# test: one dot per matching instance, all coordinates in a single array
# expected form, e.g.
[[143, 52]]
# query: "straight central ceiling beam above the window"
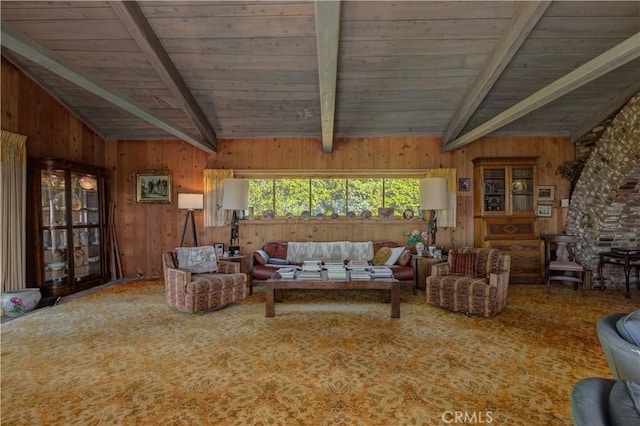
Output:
[[327, 37]]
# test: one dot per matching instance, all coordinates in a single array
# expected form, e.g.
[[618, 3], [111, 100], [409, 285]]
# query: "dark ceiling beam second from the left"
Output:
[[136, 23]]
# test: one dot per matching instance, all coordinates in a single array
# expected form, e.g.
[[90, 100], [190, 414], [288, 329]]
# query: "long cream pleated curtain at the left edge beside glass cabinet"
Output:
[[13, 199]]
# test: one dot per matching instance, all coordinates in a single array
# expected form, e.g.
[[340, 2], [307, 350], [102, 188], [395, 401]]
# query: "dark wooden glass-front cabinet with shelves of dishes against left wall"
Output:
[[66, 229]]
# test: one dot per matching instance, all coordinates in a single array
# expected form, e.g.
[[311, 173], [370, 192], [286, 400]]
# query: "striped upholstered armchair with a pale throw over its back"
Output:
[[195, 281]]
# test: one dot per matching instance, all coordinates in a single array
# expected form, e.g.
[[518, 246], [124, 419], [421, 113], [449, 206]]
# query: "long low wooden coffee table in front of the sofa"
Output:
[[391, 287]]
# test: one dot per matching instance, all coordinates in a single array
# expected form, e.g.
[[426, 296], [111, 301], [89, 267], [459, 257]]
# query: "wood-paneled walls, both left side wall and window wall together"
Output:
[[145, 231]]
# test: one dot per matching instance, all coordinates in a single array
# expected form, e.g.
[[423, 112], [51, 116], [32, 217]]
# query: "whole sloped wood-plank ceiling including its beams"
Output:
[[204, 71]]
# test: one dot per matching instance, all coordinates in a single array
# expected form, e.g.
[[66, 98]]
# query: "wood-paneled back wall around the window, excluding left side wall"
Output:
[[146, 230]]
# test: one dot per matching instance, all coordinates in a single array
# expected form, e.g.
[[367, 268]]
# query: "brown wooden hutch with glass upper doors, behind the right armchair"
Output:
[[504, 213]]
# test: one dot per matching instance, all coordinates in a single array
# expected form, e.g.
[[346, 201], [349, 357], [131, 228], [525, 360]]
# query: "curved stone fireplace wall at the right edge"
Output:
[[605, 206]]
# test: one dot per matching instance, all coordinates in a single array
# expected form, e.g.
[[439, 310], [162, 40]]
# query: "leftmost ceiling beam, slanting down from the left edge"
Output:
[[24, 46]]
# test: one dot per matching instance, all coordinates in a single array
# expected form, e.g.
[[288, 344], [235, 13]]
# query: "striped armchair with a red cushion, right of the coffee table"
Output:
[[473, 280]]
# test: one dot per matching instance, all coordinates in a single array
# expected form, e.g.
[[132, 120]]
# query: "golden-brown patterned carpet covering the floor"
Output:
[[120, 356]]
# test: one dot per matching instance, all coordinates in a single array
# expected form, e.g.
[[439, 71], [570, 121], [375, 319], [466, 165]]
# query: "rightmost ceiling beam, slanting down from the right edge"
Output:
[[613, 58]]
